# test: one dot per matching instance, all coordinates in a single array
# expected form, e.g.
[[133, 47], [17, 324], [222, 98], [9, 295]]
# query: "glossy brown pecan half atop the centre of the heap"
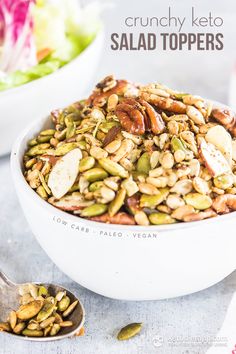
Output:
[[138, 116]]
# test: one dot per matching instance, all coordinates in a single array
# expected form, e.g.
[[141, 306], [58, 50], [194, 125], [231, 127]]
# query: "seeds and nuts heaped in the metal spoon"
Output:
[[39, 314]]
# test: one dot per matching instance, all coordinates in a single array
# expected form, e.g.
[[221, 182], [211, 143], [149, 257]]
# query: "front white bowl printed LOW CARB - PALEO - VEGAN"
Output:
[[127, 262]]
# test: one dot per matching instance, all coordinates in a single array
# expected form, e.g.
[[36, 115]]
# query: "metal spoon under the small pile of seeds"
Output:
[[9, 300]]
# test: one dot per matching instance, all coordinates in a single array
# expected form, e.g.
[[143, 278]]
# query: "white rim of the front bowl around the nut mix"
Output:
[[16, 162]]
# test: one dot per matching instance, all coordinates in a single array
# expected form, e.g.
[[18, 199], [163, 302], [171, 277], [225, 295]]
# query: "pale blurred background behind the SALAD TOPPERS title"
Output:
[[204, 72]]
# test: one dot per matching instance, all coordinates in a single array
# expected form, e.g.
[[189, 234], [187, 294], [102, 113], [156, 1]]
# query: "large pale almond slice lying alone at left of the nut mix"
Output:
[[64, 173]]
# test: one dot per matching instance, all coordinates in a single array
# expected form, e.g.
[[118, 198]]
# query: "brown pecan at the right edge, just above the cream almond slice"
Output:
[[226, 117]]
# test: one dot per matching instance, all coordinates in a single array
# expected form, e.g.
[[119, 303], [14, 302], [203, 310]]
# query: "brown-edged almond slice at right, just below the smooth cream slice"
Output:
[[214, 160]]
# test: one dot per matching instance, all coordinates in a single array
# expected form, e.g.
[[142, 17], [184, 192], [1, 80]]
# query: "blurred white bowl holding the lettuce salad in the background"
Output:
[[35, 99]]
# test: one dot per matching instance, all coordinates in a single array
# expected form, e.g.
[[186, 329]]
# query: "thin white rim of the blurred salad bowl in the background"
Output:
[[29, 84]]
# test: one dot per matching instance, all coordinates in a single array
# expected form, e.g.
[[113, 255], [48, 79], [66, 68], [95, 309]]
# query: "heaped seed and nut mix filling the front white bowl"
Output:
[[133, 154]]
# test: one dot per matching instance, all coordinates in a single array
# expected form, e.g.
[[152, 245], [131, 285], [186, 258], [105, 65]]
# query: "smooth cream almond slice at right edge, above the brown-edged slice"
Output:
[[221, 139]]
